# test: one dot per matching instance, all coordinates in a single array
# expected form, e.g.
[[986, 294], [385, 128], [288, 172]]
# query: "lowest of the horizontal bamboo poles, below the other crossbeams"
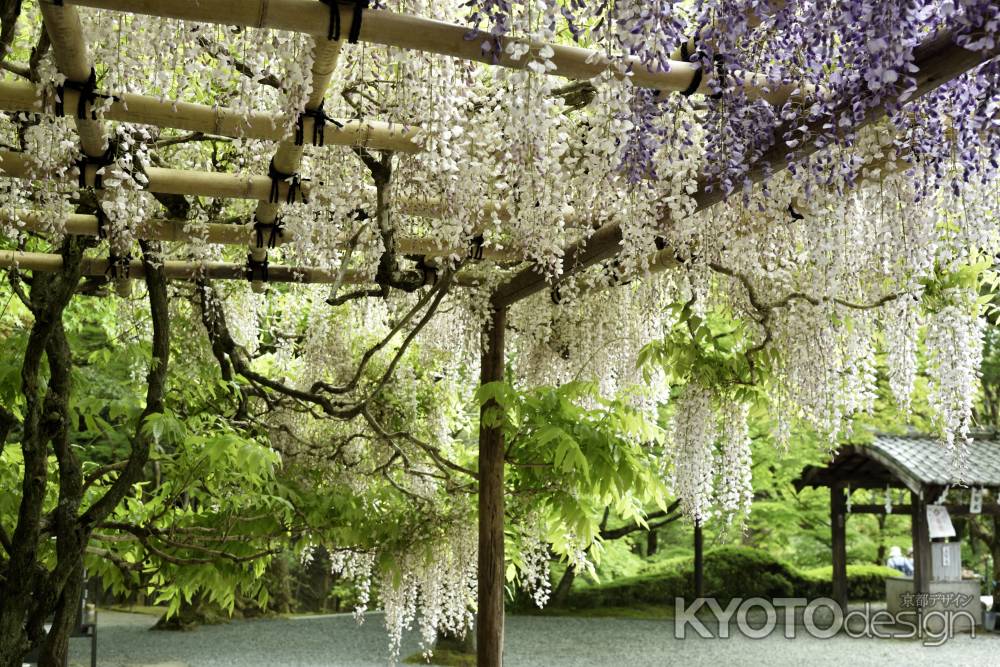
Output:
[[181, 270]]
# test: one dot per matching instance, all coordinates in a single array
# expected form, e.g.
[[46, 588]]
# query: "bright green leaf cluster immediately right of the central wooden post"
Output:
[[573, 454]]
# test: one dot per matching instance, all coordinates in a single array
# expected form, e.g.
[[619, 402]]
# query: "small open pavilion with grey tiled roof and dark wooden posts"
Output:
[[919, 465]]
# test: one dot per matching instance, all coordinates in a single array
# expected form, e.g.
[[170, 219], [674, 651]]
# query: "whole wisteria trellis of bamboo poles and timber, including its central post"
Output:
[[937, 61]]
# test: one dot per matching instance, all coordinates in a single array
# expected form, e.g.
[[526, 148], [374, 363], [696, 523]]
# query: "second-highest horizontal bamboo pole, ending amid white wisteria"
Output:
[[23, 96]]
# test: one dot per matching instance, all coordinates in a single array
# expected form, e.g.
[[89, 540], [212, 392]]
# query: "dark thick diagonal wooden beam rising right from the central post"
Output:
[[938, 60]]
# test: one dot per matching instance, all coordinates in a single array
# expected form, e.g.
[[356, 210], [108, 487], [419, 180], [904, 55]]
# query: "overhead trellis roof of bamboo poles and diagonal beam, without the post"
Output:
[[938, 59]]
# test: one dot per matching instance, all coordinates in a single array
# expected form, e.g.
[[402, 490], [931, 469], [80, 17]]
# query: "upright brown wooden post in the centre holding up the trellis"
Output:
[[489, 627]]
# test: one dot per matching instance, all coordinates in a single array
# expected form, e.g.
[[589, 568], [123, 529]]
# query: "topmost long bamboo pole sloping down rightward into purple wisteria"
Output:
[[416, 33]]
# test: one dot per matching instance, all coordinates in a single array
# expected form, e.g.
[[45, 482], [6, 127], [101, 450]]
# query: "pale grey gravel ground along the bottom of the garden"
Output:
[[125, 641]]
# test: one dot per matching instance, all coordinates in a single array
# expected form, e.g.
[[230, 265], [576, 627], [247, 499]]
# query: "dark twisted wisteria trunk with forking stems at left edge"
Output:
[[30, 594]]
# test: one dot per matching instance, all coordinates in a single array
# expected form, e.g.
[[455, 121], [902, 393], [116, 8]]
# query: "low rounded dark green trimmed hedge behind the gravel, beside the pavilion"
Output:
[[730, 572]]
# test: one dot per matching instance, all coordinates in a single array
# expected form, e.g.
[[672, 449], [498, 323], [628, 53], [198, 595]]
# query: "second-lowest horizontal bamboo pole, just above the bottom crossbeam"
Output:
[[158, 229]]
